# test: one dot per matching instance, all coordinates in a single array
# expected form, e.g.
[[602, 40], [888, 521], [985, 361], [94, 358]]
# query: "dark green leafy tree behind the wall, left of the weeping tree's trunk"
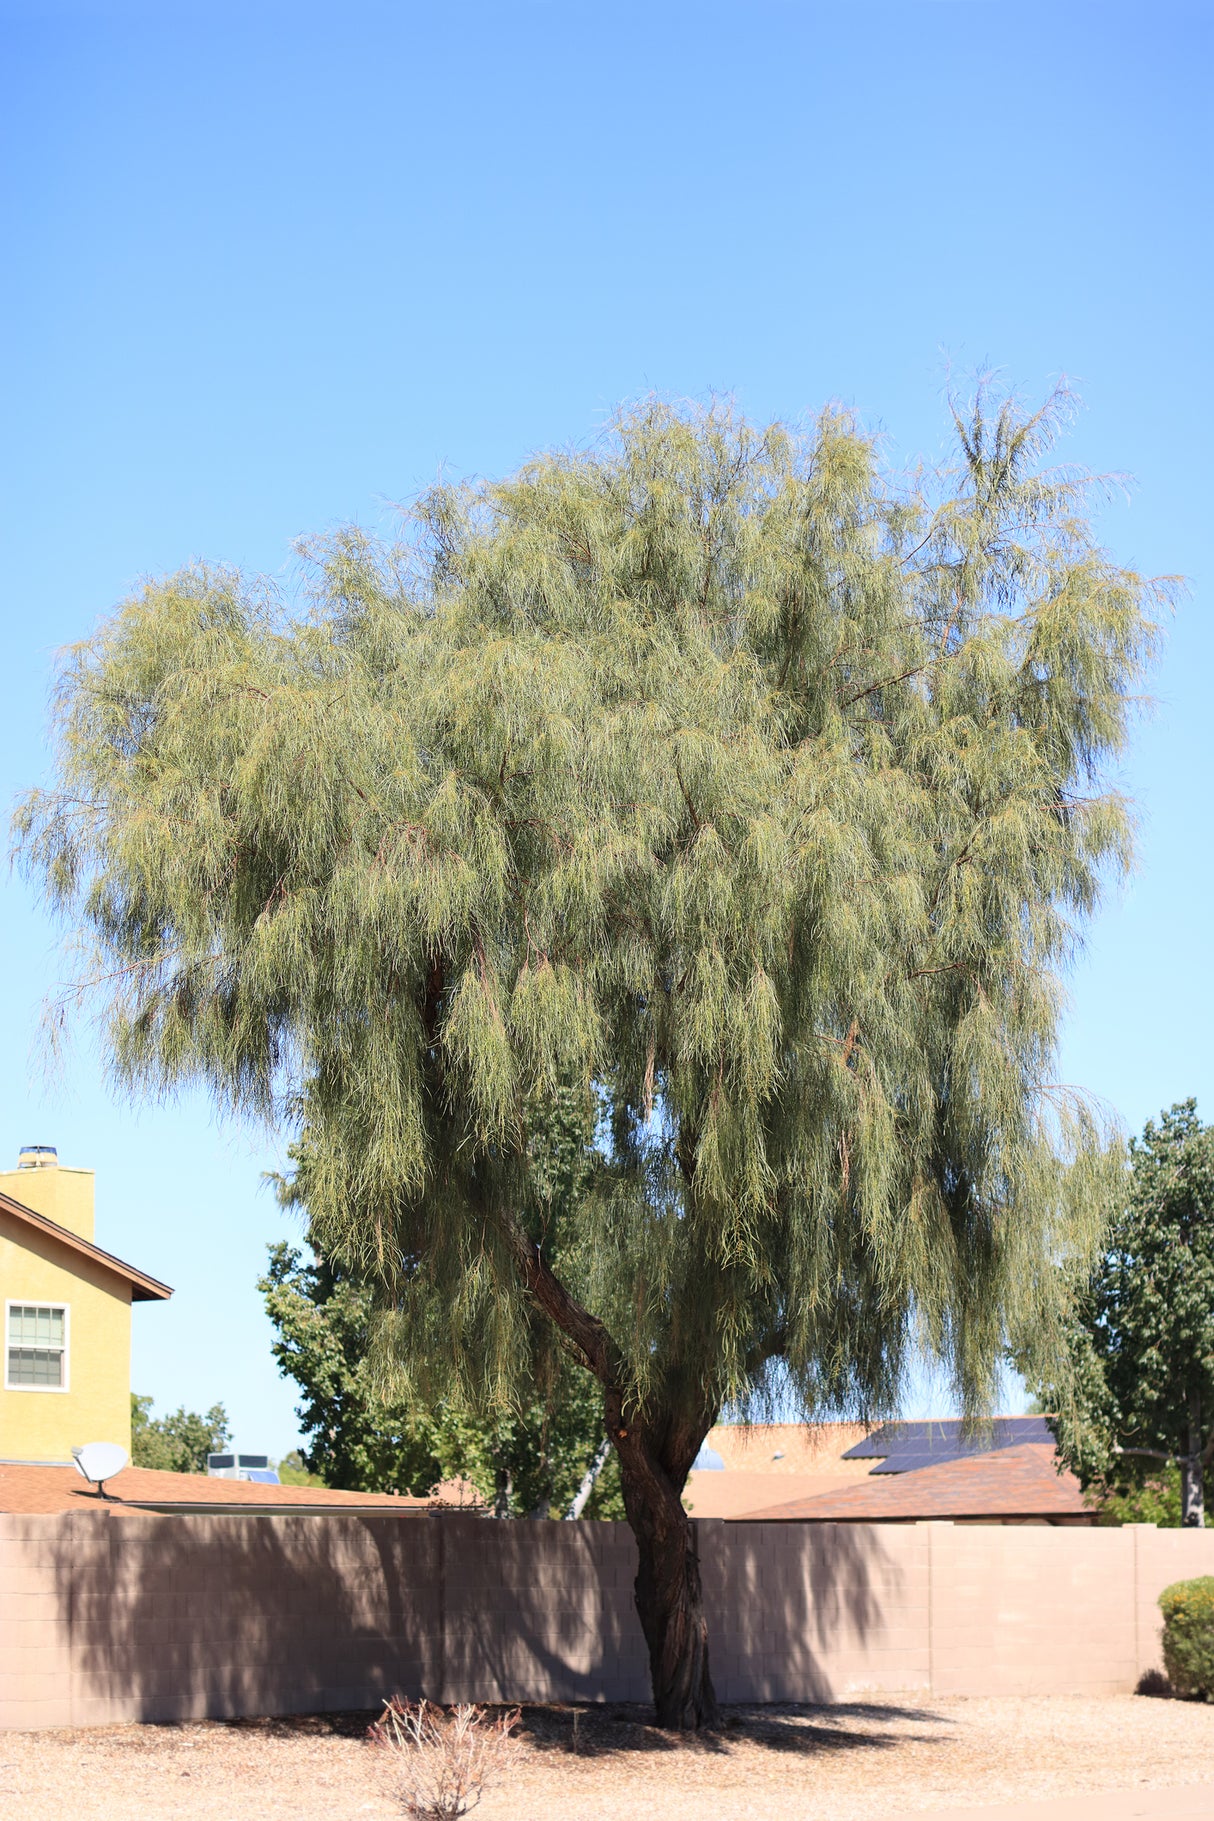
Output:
[[523, 1463]]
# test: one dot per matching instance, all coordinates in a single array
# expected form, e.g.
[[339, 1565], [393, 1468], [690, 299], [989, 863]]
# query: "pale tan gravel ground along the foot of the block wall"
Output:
[[858, 1762]]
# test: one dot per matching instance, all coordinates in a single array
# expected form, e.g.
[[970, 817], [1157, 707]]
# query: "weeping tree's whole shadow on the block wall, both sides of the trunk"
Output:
[[179, 1618]]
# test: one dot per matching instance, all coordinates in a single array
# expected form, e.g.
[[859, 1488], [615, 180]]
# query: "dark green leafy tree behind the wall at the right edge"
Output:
[[1140, 1392]]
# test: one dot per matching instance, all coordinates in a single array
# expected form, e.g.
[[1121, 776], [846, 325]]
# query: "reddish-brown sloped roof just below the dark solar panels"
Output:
[[1011, 1483]]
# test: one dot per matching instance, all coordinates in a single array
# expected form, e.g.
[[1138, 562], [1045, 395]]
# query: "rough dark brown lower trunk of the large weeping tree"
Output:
[[669, 1592]]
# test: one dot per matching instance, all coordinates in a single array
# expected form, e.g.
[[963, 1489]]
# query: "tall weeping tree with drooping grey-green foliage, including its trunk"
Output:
[[711, 773]]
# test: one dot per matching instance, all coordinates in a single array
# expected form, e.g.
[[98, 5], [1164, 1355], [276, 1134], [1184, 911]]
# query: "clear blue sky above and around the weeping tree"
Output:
[[270, 269]]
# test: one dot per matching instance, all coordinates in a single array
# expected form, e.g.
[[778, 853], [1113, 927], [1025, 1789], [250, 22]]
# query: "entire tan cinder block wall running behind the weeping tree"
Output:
[[123, 1618]]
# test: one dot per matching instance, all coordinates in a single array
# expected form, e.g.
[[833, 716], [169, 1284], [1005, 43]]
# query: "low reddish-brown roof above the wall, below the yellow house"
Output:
[[45, 1490]]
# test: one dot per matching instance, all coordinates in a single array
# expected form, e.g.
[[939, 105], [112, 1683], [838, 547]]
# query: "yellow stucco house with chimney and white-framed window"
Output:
[[66, 1316]]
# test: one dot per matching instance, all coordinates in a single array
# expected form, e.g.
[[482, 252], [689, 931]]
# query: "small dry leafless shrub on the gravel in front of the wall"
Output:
[[443, 1762]]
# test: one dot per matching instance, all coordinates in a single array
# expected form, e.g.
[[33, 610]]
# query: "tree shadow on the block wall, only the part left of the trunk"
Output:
[[174, 1618]]
